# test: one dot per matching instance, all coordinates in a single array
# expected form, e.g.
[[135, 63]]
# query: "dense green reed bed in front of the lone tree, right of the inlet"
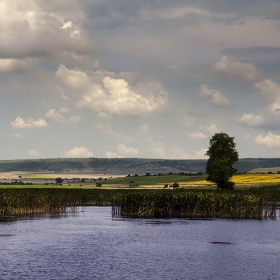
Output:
[[250, 204]]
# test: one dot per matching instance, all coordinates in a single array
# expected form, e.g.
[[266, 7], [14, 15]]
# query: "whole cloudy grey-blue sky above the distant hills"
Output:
[[145, 79]]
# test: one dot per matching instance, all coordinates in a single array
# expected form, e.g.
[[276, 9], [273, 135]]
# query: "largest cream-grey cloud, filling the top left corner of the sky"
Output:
[[32, 28]]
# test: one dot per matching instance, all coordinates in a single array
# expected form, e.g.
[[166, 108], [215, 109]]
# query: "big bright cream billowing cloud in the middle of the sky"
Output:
[[114, 96]]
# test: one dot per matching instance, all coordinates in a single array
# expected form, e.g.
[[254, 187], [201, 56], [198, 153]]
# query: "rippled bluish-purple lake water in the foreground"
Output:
[[93, 245]]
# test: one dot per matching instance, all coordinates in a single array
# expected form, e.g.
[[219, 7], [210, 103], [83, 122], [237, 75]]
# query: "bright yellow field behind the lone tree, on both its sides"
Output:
[[243, 179]]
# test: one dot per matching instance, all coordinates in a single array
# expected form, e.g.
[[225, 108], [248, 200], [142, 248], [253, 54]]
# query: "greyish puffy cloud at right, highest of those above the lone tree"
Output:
[[236, 70]]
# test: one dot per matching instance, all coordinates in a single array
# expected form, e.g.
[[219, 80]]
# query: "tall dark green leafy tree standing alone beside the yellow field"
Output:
[[222, 155]]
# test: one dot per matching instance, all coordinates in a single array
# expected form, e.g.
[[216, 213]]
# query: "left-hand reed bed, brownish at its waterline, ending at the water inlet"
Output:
[[33, 201]]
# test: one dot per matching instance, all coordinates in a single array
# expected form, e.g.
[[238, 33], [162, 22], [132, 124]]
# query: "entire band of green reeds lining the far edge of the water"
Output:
[[254, 203]]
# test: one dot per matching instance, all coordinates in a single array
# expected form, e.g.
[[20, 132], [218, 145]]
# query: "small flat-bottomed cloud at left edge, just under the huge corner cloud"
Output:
[[8, 65]]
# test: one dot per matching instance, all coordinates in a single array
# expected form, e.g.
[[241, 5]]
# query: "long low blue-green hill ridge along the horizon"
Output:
[[126, 165]]
